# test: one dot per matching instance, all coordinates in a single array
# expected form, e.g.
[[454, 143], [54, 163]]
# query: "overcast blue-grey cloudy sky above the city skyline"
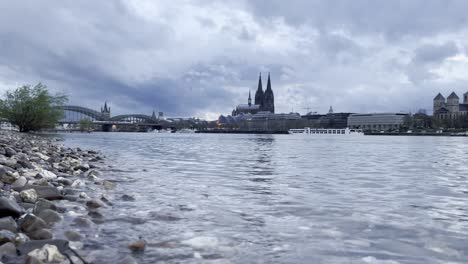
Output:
[[201, 57]]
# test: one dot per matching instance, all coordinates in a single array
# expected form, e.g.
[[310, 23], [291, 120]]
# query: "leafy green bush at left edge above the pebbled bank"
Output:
[[32, 108]]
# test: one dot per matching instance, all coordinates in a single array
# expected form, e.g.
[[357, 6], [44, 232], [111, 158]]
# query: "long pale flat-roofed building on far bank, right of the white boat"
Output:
[[377, 121]]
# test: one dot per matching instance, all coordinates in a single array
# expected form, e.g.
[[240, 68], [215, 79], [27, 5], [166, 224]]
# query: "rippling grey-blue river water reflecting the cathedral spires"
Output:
[[218, 198]]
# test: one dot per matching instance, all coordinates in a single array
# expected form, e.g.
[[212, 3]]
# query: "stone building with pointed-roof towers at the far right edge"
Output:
[[450, 108]]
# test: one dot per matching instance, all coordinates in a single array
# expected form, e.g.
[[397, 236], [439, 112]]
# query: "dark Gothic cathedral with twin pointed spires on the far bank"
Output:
[[264, 100]]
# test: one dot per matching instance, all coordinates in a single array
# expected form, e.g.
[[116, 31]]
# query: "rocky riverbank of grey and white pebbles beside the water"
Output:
[[44, 207]]
